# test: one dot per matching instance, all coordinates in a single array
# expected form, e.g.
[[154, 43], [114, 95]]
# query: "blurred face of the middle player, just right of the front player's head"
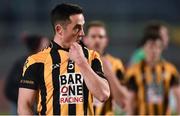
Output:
[[97, 39]]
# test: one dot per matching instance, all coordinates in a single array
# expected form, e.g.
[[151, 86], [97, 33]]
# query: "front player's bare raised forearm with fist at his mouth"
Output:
[[97, 85]]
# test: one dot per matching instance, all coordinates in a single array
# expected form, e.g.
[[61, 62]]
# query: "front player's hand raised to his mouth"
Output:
[[76, 53]]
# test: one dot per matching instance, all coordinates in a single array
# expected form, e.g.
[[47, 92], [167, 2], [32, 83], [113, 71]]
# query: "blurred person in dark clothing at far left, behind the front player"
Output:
[[34, 44]]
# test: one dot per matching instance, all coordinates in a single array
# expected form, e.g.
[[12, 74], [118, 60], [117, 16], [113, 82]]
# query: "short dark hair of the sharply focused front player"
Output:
[[62, 12]]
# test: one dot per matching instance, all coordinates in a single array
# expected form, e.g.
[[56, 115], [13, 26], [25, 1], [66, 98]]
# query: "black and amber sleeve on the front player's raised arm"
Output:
[[96, 64]]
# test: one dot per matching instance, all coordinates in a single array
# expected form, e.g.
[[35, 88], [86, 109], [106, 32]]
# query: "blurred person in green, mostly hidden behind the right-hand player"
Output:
[[154, 27]]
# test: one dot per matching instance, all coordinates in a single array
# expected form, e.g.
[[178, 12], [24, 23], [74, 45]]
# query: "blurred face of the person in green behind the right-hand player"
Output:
[[165, 36]]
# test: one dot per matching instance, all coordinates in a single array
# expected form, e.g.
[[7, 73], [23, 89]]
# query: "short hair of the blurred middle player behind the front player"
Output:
[[95, 24]]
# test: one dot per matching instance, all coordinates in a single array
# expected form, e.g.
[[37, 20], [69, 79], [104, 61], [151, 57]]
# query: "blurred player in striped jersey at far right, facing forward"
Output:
[[151, 80]]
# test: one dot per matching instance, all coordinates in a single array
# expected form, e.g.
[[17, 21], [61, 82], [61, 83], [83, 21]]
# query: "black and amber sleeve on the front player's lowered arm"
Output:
[[31, 74]]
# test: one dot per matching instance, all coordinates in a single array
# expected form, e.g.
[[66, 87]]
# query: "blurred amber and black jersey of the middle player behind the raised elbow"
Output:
[[107, 107]]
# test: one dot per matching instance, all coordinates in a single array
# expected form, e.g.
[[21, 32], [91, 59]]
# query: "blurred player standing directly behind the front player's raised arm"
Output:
[[97, 39]]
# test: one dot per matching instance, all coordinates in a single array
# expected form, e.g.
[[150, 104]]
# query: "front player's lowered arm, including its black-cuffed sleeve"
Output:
[[28, 86]]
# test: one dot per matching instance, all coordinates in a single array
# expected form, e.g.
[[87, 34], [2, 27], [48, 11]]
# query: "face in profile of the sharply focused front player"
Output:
[[73, 31]]
